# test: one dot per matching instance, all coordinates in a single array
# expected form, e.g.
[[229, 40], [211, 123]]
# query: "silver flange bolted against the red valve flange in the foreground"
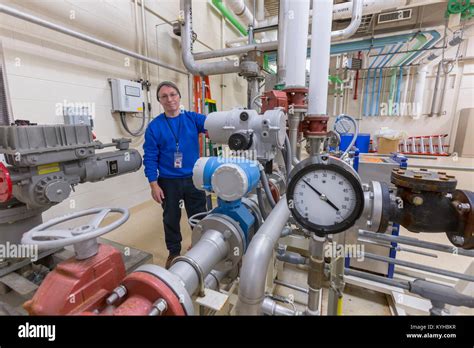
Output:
[[174, 284]]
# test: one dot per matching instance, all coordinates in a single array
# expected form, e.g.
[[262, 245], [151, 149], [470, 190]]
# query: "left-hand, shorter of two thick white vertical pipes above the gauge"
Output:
[[297, 18]]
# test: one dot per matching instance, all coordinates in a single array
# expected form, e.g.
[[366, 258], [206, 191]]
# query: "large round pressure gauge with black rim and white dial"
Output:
[[325, 195]]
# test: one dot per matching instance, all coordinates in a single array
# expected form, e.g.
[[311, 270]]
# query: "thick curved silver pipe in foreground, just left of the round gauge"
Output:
[[256, 260]]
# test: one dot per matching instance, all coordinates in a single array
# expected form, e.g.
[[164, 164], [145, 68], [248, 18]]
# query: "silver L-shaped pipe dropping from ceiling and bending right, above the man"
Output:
[[203, 69]]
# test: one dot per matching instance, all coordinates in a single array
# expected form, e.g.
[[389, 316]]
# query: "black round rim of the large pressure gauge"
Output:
[[329, 164]]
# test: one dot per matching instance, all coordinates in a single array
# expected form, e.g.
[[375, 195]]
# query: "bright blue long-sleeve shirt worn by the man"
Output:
[[160, 145]]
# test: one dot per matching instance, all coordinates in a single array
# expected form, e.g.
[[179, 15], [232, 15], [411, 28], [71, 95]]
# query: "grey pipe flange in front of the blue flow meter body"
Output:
[[232, 233]]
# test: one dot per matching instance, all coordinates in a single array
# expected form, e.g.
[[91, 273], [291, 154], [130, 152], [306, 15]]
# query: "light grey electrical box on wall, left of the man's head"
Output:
[[127, 96]]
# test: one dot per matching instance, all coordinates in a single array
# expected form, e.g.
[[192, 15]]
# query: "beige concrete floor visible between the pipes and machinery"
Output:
[[144, 231]]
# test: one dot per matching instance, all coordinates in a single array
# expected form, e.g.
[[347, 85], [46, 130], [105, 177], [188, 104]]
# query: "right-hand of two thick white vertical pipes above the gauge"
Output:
[[319, 70]]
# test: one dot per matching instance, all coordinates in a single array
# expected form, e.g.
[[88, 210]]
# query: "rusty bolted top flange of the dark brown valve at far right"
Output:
[[423, 180]]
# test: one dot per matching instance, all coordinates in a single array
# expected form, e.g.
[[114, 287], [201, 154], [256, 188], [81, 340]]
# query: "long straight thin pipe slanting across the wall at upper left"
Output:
[[36, 20]]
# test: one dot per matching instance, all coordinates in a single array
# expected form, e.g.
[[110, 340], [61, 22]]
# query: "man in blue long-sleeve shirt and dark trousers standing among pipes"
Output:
[[171, 149]]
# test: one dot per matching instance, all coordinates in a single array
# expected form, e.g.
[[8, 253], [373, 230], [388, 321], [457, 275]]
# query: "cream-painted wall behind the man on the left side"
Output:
[[45, 68]]
